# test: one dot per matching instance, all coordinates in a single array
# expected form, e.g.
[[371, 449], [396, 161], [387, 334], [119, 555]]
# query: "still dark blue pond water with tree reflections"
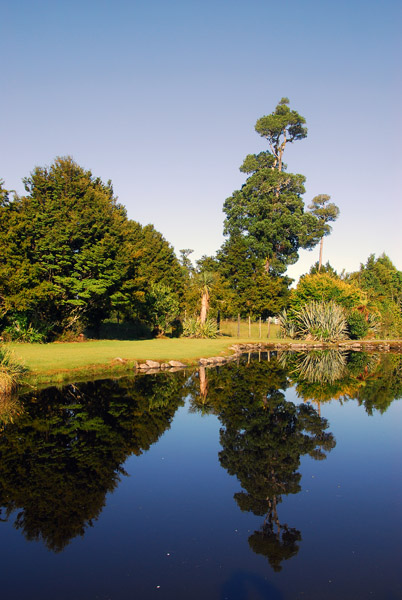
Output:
[[277, 478]]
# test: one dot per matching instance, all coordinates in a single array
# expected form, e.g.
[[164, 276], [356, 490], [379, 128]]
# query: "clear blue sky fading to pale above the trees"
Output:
[[162, 98]]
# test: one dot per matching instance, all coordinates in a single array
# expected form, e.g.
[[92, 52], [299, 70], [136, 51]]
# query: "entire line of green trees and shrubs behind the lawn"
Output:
[[70, 258]]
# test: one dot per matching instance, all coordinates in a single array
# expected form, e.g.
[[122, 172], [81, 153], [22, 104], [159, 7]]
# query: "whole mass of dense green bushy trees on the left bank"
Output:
[[70, 258]]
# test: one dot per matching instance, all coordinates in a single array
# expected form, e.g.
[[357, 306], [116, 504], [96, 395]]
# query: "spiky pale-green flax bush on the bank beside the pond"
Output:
[[324, 321]]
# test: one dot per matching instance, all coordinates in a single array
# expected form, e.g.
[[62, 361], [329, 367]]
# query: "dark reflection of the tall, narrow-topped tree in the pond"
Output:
[[263, 437]]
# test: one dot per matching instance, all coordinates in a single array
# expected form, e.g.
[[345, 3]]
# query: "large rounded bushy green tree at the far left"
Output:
[[62, 247]]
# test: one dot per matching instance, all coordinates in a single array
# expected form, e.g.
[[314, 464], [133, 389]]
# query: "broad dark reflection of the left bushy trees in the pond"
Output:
[[67, 449]]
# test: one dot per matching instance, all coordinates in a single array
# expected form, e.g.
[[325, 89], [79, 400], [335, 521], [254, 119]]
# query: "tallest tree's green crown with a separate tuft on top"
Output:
[[268, 212]]
